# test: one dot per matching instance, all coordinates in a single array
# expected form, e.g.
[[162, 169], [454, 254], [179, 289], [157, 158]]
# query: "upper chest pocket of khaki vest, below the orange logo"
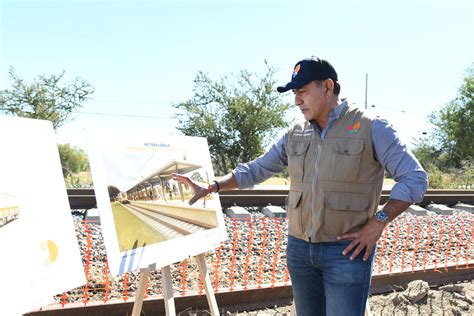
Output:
[[346, 161]]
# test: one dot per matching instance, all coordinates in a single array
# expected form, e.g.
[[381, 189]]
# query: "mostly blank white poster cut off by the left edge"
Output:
[[40, 254]]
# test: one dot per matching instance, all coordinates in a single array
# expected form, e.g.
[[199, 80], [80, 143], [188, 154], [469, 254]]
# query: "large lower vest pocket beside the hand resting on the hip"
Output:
[[344, 212]]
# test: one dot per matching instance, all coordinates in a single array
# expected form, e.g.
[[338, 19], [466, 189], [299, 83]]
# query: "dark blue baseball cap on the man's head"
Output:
[[308, 70]]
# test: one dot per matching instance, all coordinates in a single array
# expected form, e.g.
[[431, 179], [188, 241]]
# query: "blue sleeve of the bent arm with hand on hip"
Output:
[[411, 180]]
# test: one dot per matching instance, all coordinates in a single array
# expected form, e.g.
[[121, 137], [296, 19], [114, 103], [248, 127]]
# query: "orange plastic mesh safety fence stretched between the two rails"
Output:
[[425, 240]]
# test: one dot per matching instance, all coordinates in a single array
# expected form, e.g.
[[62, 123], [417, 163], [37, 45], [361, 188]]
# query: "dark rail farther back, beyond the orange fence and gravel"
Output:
[[85, 198]]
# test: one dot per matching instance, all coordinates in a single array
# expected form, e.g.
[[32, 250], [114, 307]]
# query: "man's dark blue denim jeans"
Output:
[[324, 281]]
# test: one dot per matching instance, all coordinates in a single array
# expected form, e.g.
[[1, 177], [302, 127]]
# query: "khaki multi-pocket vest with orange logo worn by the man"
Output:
[[336, 182]]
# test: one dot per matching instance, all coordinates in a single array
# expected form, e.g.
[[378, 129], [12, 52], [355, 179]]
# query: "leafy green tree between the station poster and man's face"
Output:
[[238, 117]]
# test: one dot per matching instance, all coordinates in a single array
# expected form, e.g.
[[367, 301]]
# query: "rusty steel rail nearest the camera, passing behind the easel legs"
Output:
[[252, 297]]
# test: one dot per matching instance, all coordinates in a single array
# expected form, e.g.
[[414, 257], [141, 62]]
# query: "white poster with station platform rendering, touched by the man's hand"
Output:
[[145, 216]]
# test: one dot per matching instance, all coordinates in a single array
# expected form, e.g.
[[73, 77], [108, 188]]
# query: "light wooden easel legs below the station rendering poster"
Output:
[[168, 289]]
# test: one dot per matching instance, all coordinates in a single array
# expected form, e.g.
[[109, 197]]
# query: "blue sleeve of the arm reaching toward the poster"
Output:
[[262, 168]]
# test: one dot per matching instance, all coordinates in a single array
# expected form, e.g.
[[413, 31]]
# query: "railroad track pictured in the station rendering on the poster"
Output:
[[169, 226]]
